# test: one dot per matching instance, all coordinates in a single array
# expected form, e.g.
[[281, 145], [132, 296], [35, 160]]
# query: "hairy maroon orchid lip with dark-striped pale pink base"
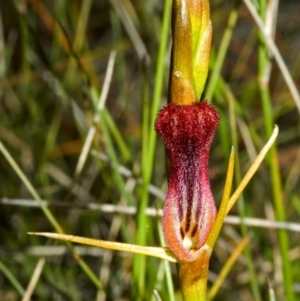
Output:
[[189, 211]]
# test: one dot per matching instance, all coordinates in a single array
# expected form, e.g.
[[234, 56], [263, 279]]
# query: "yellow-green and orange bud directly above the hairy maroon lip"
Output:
[[191, 32]]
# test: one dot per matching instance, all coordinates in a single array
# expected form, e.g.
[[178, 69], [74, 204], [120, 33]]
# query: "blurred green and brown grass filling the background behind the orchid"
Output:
[[53, 63]]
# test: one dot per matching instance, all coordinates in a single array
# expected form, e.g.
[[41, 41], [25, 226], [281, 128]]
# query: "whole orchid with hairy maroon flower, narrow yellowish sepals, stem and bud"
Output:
[[191, 223]]
